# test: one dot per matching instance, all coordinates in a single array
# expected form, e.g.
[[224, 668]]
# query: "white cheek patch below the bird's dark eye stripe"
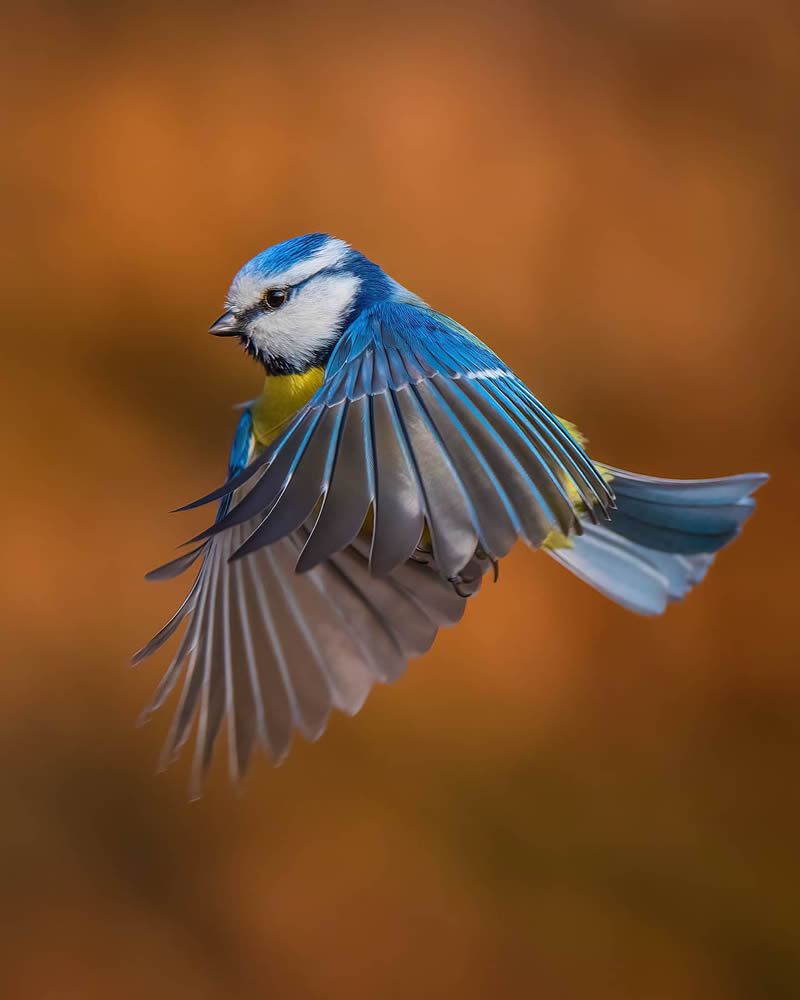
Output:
[[308, 322]]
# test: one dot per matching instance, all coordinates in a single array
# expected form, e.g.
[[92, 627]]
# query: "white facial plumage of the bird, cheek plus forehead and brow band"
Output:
[[309, 320]]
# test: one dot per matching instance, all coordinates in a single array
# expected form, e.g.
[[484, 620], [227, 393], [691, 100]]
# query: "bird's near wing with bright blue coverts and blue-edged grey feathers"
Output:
[[417, 423]]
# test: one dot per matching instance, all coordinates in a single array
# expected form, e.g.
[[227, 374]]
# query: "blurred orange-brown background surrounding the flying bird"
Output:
[[561, 800]]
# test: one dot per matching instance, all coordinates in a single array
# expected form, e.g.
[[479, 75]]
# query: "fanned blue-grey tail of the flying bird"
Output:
[[662, 537]]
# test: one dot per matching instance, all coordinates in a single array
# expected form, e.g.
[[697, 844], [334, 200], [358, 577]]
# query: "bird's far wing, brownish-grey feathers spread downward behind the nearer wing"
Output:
[[269, 650]]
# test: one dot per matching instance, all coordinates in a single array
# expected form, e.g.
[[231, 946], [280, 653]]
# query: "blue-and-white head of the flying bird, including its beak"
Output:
[[290, 304]]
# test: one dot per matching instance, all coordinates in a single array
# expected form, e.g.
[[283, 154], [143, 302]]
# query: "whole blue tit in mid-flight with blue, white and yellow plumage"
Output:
[[388, 465]]
